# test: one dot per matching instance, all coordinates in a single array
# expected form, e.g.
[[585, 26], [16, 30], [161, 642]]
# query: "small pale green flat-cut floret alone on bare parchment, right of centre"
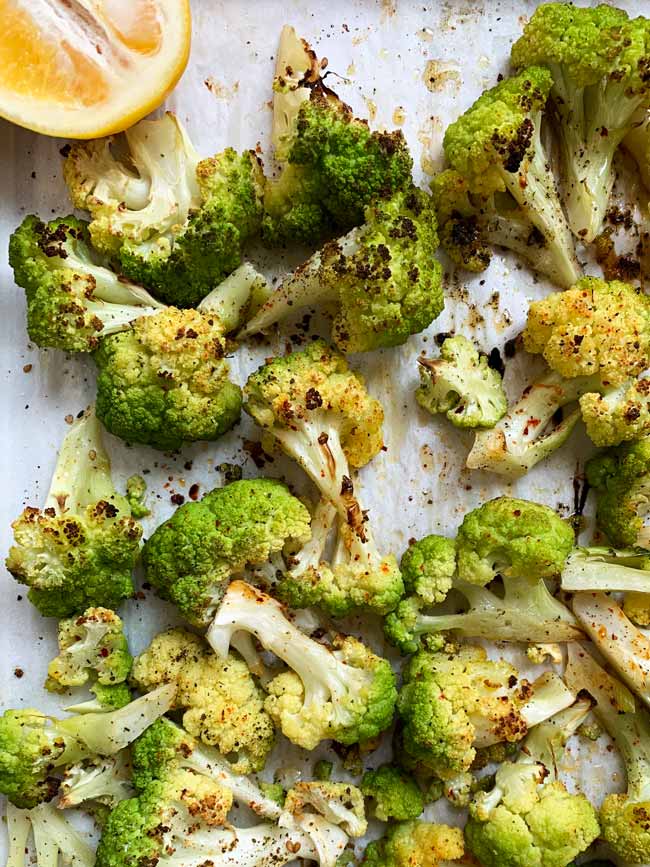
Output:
[[461, 384]]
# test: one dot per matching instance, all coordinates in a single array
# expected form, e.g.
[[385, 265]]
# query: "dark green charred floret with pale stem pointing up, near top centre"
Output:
[[331, 166]]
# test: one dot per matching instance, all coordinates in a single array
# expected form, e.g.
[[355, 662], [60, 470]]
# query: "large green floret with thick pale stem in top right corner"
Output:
[[599, 61]]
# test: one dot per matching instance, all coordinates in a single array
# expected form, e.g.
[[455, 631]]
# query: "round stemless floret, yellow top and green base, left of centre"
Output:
[[165, 381]]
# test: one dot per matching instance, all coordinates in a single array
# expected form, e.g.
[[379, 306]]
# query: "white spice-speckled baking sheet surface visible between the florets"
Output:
[[413, 64]]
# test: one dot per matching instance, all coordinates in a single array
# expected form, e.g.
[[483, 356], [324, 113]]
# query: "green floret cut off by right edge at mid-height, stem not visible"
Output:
[[621, 480]]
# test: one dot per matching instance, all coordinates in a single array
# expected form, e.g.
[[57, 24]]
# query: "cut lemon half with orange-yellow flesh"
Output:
[[87, 68]]
